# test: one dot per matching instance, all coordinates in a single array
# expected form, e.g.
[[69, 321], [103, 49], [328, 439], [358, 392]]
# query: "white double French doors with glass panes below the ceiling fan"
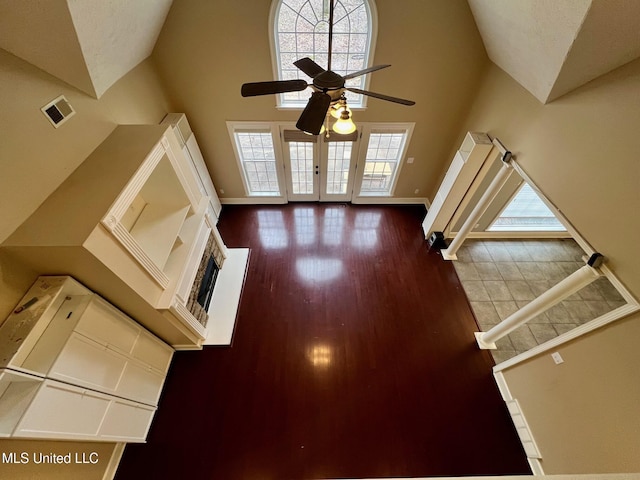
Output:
[[317, 168]]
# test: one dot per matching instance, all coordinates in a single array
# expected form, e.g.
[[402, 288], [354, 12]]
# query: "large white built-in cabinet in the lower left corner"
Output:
[[80, 369]]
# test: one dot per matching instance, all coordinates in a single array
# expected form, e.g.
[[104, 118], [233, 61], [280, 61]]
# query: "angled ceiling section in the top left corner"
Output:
[[89, 44]]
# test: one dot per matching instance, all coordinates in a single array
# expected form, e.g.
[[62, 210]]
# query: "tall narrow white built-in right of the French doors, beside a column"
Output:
[[461, 172]]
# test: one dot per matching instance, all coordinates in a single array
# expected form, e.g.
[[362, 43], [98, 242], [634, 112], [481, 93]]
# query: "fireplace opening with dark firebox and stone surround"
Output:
[[205, 280]]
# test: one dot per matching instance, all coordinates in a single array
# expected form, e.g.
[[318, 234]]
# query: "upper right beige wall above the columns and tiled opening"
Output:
[[581, 150]]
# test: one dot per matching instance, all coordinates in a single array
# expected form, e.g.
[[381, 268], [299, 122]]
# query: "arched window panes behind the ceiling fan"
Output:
[[301, 29]]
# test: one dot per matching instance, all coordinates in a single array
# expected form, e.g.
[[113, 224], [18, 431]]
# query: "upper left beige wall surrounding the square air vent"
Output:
[[34, 156]]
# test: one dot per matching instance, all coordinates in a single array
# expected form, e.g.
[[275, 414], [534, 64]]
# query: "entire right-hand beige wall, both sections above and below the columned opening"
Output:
[[582, 151]]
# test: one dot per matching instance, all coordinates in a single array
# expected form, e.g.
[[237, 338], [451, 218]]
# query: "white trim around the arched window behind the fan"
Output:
[[275, 57]]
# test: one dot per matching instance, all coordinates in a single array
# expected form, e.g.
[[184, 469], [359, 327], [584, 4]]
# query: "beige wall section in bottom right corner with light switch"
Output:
[[584, 412]]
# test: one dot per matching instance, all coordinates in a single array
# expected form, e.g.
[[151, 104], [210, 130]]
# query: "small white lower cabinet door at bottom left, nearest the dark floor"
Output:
[[126, 422]]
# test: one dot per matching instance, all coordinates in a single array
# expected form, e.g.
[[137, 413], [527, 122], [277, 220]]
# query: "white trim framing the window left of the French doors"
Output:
[[272, 127]]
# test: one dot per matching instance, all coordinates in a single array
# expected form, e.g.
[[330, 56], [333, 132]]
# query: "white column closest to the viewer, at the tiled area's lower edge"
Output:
[[567, 287]]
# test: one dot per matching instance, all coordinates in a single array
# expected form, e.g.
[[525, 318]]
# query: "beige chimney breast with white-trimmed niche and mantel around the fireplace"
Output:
[[131, 223]]
